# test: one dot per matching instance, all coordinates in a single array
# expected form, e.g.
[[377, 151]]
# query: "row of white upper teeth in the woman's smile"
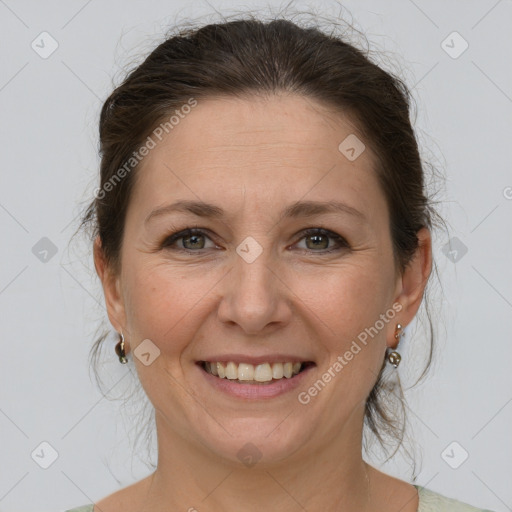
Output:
[[260, 373]]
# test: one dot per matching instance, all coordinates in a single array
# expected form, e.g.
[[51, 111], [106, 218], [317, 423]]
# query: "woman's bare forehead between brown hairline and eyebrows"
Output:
[[274, 150]]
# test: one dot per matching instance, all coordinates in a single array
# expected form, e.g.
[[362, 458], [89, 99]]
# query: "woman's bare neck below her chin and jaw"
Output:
[[330, 475]]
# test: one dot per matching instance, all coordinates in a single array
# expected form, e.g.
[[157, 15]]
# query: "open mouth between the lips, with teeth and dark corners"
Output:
[[246, 373]]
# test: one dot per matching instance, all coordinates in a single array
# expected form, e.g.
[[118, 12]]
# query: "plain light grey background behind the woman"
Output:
[[49, 309]]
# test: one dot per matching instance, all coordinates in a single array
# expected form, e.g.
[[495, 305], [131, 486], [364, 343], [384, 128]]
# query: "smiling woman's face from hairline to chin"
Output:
[[252, 285]]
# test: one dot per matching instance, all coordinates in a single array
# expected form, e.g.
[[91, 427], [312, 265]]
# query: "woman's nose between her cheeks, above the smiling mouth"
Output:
[[254, 297]]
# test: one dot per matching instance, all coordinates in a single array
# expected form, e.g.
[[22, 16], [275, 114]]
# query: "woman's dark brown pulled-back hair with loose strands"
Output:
[[249, 56]]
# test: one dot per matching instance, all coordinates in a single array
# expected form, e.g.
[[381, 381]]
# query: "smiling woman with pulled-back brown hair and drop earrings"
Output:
[[262, 235]]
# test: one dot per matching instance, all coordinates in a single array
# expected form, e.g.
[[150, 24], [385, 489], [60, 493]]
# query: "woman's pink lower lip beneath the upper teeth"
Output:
[[255, 391]]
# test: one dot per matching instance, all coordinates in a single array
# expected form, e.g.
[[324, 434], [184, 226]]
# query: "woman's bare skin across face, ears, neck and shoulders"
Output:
[[253, 157]]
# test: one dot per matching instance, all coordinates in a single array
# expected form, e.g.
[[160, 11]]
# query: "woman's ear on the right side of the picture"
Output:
[[411, 284]]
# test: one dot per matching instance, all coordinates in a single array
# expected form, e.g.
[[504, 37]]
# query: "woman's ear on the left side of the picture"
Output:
[[111, 288]]
